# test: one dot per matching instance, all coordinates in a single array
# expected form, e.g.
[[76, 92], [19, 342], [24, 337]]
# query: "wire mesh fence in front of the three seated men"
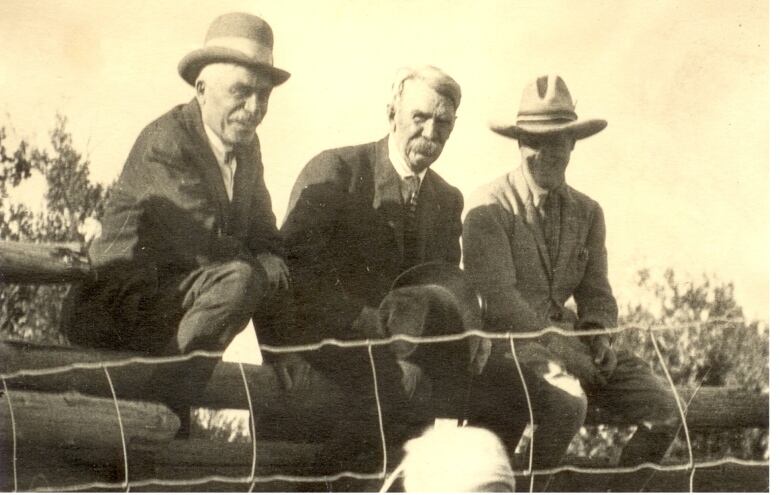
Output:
[[252, 479]]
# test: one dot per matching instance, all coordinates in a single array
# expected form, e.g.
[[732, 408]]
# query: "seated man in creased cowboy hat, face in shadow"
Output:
[[531, 242]]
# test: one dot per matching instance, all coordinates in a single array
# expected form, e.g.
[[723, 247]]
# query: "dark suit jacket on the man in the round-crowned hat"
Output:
[[169, 214]]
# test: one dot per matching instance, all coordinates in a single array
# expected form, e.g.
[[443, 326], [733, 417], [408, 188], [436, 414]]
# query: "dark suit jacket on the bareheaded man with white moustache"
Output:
[[344, 235]]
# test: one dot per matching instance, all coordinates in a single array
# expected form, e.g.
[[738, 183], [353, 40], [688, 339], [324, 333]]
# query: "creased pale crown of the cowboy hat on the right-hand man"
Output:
[[547, 98]]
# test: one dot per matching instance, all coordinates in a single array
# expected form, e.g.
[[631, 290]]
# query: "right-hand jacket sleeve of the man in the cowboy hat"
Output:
[[596, 306]]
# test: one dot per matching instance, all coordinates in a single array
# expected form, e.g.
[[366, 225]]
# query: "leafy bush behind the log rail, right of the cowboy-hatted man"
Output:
[[705, 341]]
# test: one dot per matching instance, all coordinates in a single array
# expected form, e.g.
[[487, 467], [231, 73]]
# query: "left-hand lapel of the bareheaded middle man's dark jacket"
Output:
[[387, 192]]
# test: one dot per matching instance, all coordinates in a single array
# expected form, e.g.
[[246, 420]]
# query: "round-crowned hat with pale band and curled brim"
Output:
[[237, 38]]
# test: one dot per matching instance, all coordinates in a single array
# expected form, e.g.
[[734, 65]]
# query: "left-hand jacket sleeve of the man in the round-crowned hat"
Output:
[[160, 213]]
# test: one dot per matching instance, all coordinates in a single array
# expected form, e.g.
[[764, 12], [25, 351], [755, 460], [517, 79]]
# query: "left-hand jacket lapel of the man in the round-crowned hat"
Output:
[[205, 160]]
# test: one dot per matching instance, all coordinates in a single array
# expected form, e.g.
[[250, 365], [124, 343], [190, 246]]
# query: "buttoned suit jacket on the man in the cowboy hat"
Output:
[[506, 257]]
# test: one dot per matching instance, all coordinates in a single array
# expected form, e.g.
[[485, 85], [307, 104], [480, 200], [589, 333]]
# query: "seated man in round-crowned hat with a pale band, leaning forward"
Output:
[[189, 250]]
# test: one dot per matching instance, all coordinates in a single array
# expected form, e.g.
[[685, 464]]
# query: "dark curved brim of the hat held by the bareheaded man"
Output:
[[450, 278]]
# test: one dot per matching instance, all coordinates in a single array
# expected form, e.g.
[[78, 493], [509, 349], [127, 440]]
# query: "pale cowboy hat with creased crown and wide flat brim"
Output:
[[547, 108]]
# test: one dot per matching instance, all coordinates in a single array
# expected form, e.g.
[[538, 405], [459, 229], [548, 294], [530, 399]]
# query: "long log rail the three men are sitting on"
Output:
[[710, 407]]
